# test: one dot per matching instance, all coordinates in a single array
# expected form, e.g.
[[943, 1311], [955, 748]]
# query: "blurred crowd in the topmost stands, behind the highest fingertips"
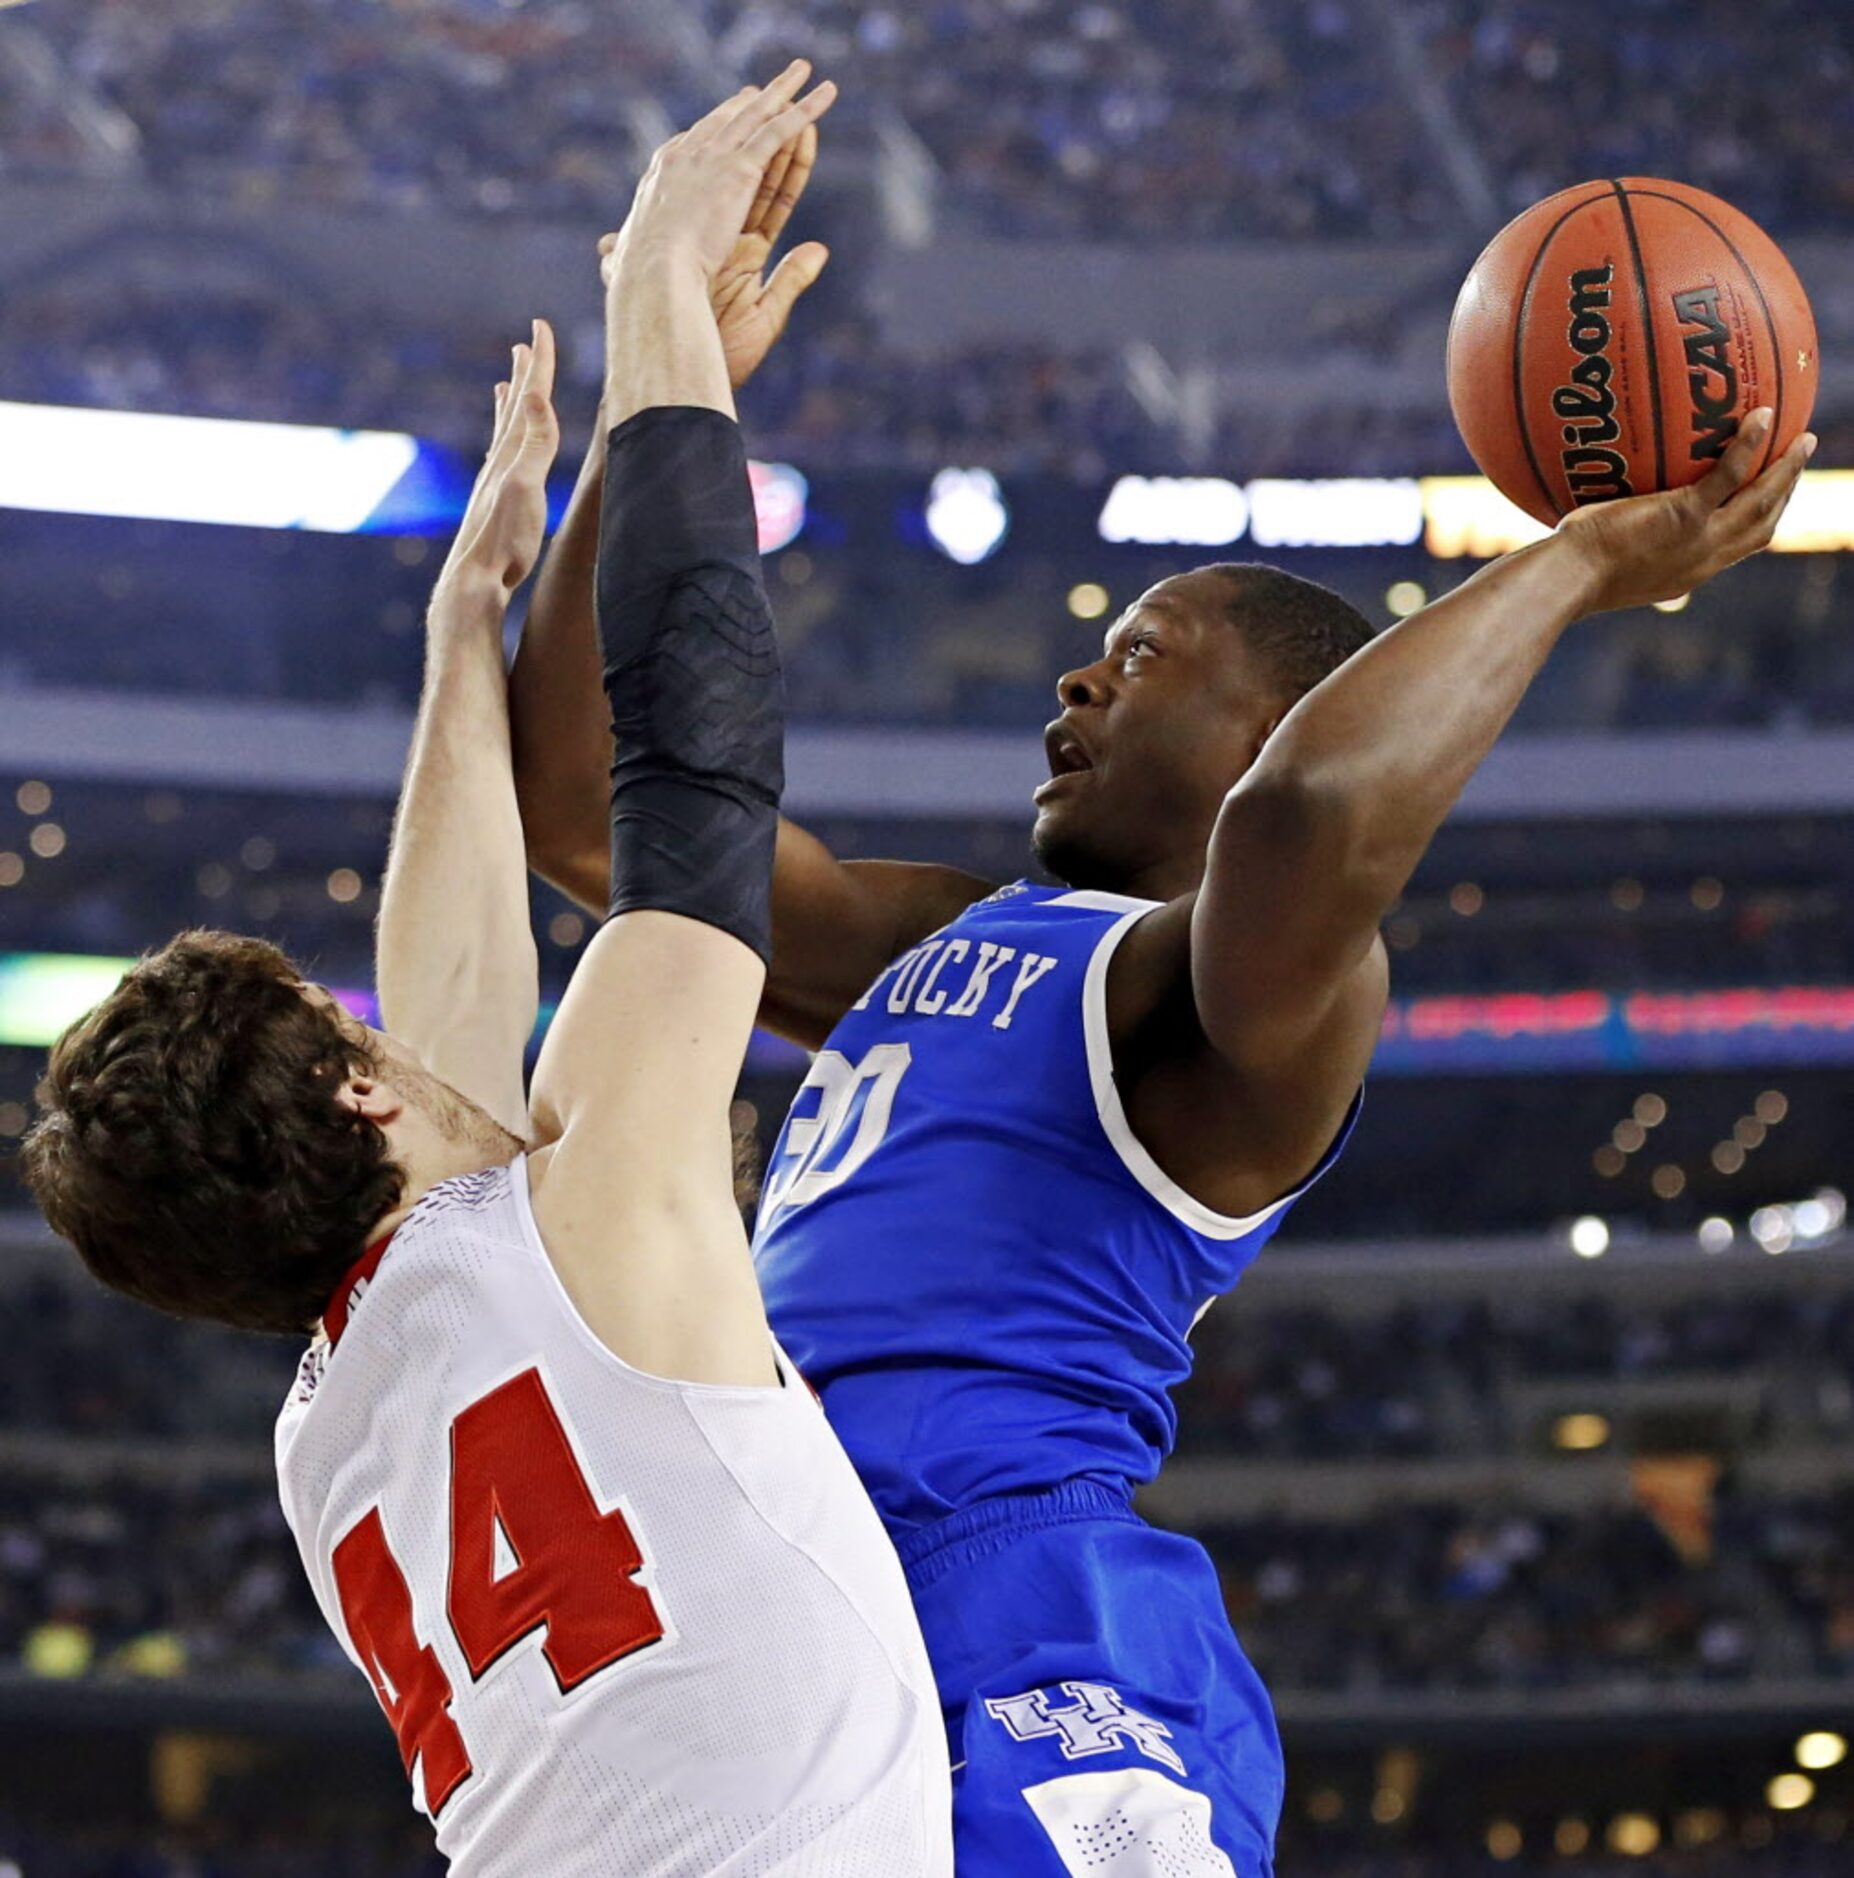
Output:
[[1164, 119]]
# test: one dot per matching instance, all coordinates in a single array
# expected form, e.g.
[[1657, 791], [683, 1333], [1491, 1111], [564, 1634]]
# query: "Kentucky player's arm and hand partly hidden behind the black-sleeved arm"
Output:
[[835, 925]]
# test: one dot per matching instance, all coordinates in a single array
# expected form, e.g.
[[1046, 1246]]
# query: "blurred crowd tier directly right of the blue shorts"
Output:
[[1440, 1597]]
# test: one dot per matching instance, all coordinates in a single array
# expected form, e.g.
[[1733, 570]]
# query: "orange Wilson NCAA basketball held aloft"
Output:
[[1611, 341]]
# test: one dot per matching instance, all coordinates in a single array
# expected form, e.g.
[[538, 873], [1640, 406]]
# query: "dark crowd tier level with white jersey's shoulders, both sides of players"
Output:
[[1273, 1383]]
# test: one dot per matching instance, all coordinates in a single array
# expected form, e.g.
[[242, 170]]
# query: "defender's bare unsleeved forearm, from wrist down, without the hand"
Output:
[[457, 970]]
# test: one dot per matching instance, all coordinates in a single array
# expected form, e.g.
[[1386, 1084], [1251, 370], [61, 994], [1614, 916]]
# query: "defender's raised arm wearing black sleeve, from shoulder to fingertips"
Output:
[[634, 1178]]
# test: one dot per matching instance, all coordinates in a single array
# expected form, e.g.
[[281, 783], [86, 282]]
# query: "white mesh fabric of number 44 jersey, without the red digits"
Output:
[[786, 1725]]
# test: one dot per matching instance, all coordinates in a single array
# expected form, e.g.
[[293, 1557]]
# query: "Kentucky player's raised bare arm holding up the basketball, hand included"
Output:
[[1327, 827]]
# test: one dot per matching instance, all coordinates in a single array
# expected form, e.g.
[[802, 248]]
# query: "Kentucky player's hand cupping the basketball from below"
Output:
[[1648, 549]]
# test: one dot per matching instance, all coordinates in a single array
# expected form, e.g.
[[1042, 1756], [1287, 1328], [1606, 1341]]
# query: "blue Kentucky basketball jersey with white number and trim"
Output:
[[961, 1242]]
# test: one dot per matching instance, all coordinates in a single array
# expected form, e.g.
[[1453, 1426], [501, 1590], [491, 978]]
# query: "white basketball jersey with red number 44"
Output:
[[621, 1625]]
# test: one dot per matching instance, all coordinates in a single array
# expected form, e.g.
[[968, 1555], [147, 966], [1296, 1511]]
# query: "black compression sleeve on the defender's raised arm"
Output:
[[692, 671]]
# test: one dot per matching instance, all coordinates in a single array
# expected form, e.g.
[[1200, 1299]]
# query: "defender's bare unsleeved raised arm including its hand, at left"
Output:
[[456, 953]]
